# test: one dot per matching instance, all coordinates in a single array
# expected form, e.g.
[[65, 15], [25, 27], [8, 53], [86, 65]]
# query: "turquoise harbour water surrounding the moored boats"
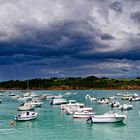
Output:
[[53, 124]]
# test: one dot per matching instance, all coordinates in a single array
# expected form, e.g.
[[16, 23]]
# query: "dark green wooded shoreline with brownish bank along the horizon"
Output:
[[90, 82]]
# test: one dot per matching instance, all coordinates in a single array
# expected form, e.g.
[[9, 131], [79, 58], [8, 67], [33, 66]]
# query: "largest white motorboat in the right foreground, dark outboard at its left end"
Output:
[[109, 117]]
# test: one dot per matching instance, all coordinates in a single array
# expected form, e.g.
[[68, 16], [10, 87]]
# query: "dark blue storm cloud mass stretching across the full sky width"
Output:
[[60, 41]]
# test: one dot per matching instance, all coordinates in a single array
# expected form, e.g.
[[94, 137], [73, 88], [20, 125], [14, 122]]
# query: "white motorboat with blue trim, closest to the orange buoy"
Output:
[[26, 116]]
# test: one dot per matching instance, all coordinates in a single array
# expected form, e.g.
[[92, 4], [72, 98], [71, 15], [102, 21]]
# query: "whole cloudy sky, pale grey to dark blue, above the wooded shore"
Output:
[[64, 38]]
